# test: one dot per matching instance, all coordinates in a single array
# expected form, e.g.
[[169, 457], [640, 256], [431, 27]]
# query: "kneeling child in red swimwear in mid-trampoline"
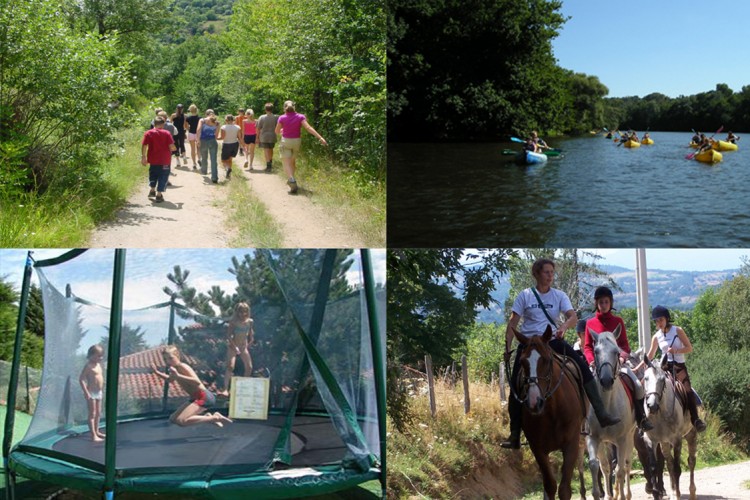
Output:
[[190, 412]]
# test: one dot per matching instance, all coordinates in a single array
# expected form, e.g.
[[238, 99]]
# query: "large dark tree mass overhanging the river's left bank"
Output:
[[448, 80]]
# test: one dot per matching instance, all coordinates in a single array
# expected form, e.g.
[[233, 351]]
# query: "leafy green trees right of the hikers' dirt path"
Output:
[[328, 57]]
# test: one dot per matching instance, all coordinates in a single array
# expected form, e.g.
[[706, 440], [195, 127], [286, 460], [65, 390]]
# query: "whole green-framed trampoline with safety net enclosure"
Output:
[[324, 429]]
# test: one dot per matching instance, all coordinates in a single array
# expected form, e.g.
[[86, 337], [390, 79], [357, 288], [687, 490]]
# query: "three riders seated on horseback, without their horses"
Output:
[[542, 305]]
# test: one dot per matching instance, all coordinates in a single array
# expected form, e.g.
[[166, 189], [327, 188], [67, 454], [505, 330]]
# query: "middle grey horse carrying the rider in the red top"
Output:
[[617, 404]]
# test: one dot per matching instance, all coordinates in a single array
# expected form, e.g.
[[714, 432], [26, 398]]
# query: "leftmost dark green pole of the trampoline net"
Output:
[[10, 415]]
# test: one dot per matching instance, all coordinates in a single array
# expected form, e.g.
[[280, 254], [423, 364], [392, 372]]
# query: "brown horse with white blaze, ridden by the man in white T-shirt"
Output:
[[552, 410]]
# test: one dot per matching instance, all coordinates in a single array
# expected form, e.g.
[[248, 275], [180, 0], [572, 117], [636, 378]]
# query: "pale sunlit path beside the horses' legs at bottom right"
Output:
[[722, 482]]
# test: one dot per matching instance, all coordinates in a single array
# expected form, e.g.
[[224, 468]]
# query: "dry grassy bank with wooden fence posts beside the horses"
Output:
[[458, 455]]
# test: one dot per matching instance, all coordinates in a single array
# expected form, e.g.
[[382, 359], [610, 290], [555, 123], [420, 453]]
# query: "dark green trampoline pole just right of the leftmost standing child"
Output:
[[113, 372]]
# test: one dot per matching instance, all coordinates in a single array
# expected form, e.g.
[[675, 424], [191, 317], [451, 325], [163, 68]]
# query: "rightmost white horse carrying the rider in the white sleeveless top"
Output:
[[671, 420]]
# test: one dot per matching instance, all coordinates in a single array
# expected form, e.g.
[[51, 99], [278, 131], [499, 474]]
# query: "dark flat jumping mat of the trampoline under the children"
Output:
[[159, 443]]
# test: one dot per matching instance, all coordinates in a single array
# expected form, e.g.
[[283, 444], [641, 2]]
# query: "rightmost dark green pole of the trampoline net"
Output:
[[377, 355]]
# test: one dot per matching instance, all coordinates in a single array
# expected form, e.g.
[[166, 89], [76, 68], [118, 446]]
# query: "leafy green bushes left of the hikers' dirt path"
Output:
[[57, 87]]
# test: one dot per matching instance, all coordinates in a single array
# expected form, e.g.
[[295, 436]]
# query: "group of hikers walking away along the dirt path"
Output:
[[239, 134]]
